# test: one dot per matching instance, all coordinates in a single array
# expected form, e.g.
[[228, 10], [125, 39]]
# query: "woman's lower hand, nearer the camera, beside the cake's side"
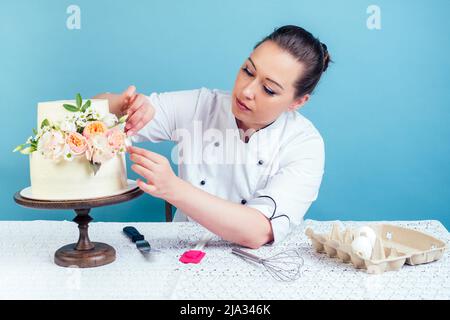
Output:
[[156, 170]]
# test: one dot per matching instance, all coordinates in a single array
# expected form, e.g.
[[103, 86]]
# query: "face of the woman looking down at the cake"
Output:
[[265, 85]]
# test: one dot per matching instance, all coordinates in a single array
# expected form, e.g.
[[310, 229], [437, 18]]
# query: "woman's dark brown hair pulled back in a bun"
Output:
[[307, 49]]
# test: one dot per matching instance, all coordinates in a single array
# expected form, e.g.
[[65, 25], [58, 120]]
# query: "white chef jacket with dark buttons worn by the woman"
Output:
[[278, 172]]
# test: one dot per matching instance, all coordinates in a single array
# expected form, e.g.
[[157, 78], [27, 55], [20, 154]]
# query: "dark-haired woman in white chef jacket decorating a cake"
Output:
[[250, 164]]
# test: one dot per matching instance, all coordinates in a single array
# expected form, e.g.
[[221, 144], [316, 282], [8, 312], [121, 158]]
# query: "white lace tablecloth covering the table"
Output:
[[27, 270]]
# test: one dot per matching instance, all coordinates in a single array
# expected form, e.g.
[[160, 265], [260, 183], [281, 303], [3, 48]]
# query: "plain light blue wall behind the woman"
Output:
[[383, 107]]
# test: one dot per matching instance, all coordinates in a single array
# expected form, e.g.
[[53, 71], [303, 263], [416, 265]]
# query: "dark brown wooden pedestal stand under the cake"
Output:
[[84, 253]]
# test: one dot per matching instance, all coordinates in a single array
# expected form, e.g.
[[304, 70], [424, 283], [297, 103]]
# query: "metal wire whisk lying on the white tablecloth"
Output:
[[284, 266]]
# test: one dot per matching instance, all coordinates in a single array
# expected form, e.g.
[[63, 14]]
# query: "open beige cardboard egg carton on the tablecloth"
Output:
[[393, 247]]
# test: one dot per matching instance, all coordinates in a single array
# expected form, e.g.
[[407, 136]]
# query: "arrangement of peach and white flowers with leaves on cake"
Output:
[[86, 131]]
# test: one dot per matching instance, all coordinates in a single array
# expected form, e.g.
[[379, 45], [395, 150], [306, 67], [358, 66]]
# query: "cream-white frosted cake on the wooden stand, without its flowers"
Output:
[[74, 179]]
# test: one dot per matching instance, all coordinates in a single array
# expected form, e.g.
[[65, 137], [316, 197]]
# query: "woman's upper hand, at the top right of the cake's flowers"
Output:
[[138, 108]]
